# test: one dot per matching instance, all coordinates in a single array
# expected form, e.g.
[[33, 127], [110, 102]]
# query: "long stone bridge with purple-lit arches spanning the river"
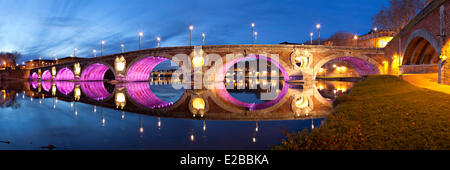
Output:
[[293, 60]]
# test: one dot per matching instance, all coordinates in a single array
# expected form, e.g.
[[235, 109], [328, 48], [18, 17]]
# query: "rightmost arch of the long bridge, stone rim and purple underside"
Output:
[[364, 65]]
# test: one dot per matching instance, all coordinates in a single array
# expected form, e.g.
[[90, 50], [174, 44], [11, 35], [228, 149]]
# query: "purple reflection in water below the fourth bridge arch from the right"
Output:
[[95, 90]]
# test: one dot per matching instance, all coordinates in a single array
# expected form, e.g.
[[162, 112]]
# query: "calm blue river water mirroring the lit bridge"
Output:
[[34, 115]]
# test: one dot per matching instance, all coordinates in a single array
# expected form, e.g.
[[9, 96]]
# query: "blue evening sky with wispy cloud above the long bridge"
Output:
[[47, 28]]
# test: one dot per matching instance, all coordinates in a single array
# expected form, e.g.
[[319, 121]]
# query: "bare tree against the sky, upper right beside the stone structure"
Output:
[[399, 14]]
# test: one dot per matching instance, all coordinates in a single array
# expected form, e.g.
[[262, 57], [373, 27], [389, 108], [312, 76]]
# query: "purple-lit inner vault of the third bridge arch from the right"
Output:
[[141, 70]]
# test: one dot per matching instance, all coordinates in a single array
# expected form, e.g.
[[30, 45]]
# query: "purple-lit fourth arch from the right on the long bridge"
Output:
[[97, 72]]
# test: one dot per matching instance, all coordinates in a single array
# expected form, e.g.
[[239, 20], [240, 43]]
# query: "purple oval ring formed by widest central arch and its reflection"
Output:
[[222, 91]]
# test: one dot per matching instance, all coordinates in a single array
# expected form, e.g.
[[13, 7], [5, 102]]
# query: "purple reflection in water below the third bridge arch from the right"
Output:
[[142, 94]]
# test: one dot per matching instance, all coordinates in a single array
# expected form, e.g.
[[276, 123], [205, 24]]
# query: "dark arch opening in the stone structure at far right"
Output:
[[422, 47]]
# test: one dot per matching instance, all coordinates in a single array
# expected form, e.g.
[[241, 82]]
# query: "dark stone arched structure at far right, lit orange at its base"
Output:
[[422, 46]]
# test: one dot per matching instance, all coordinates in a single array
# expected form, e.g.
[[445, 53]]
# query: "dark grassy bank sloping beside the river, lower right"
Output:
[[381, 113]]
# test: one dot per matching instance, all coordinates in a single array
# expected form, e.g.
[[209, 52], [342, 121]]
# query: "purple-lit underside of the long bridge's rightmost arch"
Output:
[[360, 65]]
